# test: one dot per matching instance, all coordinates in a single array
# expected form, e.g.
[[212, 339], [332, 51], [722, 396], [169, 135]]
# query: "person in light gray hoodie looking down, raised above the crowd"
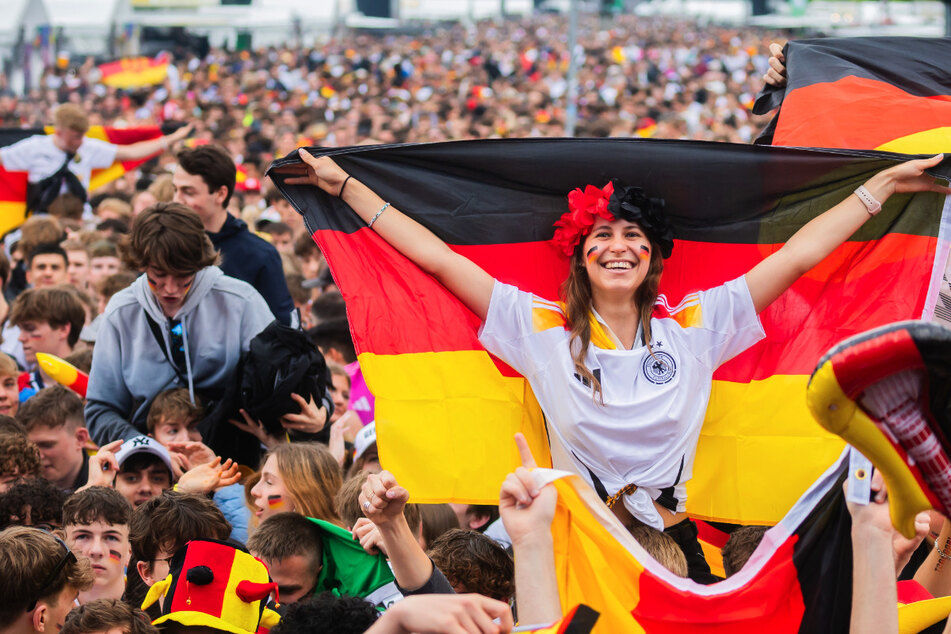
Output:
[[182, 323]]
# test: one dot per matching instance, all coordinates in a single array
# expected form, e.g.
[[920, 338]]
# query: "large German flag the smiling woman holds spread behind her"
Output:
[[446, 410]]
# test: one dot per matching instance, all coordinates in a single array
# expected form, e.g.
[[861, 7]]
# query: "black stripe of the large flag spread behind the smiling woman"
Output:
[[512, 191]]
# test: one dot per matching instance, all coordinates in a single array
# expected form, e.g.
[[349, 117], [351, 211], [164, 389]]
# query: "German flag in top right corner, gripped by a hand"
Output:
[[885, 93]]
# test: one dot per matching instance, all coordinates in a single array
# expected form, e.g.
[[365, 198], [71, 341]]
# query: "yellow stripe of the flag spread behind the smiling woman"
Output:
[[782, 456]]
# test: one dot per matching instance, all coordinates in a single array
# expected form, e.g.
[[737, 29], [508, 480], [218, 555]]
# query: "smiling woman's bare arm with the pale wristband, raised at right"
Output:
[[820, 236]]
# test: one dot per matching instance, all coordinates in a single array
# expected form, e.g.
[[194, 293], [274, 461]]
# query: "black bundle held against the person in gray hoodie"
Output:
[[280, 361]]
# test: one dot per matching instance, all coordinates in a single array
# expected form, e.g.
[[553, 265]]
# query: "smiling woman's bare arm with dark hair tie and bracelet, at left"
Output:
[[464, 279]]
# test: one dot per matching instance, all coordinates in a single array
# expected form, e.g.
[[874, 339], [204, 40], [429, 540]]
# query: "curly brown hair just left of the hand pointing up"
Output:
[[473, 562]]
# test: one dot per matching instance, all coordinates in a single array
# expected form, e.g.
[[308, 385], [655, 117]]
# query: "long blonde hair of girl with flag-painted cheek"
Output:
[[311, 477]]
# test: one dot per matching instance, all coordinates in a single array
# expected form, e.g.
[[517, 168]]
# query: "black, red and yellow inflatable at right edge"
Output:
[[887, 392]]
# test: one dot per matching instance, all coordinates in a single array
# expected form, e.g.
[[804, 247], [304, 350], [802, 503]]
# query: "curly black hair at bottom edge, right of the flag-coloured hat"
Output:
[[327, 613]]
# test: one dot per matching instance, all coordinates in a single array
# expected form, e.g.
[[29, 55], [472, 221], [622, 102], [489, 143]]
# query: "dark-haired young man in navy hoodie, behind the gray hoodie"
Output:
[[204, 182]]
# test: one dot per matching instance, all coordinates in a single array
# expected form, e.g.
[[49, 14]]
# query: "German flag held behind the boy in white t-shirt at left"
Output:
[[13, 184]]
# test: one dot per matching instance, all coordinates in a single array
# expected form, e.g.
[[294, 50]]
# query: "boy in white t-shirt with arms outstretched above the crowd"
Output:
[[63, 161]]
